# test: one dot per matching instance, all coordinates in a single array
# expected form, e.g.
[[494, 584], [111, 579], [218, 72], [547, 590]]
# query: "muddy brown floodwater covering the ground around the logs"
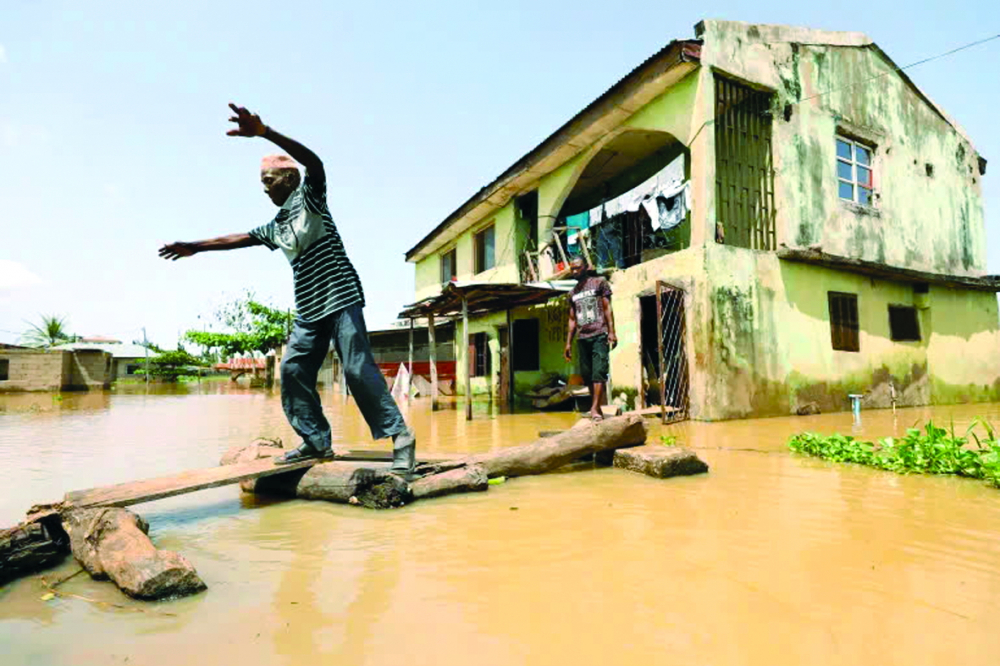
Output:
[[769, 559]]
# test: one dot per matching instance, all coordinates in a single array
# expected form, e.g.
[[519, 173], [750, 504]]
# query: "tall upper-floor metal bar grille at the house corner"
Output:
[[743, 166]]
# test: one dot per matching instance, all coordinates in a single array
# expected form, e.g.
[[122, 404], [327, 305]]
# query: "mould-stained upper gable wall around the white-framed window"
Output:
[[928, 222]]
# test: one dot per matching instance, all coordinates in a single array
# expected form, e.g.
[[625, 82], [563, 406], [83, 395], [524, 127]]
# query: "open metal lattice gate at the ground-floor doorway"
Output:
[[672, 365]]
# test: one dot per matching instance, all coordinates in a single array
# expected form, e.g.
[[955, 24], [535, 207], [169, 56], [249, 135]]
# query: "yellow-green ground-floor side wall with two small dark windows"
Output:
[[767, 348]]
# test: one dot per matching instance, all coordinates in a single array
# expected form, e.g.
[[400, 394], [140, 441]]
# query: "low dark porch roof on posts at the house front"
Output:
[[482, 297]]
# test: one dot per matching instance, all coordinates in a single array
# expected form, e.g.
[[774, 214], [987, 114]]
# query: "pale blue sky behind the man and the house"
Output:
[[112, 121]]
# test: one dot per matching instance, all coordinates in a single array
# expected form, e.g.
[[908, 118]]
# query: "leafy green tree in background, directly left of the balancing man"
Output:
[[252, 327]]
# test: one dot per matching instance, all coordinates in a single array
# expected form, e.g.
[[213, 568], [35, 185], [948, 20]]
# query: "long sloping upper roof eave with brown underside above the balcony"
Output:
[[631, 93]]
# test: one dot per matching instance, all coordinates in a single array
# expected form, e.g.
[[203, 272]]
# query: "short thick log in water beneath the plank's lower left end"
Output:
[[113, 543]]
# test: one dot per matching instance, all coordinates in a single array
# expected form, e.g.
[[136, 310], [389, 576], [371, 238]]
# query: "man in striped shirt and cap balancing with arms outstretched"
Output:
[[328, 300]]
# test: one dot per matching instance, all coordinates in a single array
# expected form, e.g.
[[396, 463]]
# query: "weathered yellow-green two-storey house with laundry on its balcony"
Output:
[[785, 219]]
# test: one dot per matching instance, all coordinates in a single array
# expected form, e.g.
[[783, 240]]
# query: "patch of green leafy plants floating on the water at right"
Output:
[[932, 450]]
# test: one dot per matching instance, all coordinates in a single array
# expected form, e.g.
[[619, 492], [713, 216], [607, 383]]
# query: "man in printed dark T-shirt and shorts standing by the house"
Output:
[[591, 319]]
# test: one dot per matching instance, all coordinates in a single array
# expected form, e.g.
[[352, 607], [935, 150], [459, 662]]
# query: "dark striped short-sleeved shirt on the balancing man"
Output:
[[325, 279]]
